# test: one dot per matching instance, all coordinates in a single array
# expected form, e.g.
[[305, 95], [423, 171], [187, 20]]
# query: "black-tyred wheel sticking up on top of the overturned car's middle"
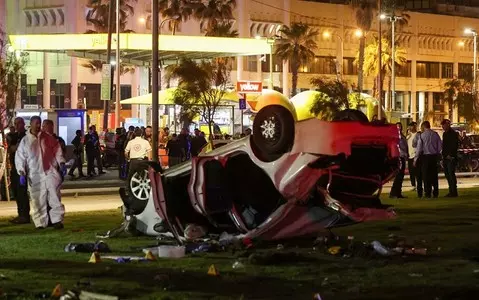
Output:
[[273, 131]]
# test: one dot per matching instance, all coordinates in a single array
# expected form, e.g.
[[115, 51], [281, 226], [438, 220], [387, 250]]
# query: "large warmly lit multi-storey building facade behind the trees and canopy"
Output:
[[434, 40]]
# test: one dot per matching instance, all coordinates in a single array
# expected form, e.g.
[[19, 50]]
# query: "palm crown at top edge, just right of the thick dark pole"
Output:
[[180, 10]]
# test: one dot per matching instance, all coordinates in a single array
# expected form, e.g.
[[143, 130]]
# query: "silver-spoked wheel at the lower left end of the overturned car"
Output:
[[139, 186]]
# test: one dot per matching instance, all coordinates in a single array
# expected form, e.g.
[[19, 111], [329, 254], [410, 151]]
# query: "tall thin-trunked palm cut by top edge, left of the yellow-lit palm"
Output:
[[365, 11]]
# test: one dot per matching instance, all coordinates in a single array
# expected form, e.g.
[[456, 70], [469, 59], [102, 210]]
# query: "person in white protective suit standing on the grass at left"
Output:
[[39, 160]]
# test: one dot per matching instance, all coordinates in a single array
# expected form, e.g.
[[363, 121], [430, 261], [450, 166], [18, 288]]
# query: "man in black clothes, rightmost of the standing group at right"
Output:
[[450, 145]]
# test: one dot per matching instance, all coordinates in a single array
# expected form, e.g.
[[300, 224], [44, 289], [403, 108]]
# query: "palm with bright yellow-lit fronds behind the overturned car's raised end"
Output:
[[371, 61]]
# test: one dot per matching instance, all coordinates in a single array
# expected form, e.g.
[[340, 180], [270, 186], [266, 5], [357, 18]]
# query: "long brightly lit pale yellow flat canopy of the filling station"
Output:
[[137, 48]]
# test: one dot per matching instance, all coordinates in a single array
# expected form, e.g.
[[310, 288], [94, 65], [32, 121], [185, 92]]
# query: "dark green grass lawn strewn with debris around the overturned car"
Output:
[[34, 261]]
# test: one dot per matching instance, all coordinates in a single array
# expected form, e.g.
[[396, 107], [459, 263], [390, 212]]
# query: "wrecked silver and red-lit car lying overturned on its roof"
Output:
[[292, 177]]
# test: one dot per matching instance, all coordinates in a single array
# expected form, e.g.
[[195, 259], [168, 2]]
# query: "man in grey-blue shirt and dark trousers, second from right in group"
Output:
[[428, 149]]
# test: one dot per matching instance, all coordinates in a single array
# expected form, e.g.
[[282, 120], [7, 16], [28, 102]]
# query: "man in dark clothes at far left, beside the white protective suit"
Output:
[[19, 191]]
